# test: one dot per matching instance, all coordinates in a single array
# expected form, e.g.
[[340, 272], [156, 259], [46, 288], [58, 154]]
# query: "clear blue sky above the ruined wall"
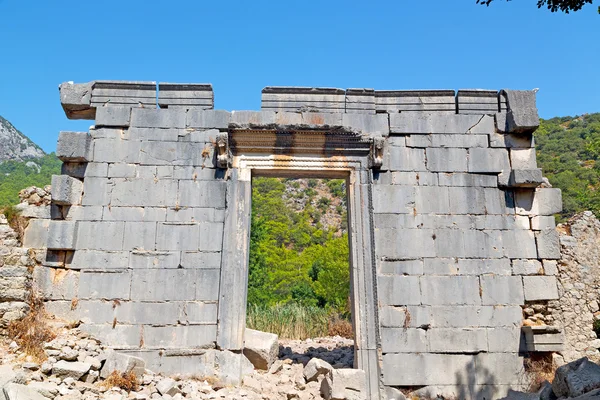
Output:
[[242, 46]]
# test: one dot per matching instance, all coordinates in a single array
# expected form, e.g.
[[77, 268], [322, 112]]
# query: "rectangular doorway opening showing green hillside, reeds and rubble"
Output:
[[299, 278]]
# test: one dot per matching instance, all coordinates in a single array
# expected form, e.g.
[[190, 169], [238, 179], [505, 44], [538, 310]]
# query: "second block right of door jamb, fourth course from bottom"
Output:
[[450, 290]]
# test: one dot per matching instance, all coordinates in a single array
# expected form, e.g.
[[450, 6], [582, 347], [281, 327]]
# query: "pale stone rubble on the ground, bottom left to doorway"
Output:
[[77, 365]]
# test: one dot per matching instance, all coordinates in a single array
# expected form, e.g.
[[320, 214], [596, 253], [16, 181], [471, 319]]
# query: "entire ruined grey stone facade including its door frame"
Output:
[[450, 229]]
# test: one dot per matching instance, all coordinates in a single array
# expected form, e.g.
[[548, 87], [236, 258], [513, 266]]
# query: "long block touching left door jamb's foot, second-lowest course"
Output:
[[199, 336]]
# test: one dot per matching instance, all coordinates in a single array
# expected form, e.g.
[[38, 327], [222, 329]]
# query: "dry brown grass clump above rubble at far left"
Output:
[[32, 331]]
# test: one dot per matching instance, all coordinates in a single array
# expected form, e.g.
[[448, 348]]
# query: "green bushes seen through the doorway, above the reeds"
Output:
[[293, 259]]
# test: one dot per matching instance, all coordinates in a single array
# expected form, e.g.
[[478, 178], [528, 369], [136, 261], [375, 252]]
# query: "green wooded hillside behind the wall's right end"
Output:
[[568, 151]]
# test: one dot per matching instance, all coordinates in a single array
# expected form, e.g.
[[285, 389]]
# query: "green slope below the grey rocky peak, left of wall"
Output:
[[17, 175]]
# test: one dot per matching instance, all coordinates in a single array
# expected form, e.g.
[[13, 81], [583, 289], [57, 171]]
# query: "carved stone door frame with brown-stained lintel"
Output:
[[319, 156]]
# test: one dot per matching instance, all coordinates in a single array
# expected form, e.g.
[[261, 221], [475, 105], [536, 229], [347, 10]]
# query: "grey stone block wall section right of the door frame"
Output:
[[462, 242]]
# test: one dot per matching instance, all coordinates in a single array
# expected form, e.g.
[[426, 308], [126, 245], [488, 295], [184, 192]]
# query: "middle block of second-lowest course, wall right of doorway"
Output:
[[453, 340]]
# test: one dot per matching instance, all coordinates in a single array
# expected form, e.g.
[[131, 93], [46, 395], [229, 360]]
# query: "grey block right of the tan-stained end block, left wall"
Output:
[[104, 285]]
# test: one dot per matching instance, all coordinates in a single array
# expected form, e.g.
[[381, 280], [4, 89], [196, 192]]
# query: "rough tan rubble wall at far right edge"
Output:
[[579, 286]]
